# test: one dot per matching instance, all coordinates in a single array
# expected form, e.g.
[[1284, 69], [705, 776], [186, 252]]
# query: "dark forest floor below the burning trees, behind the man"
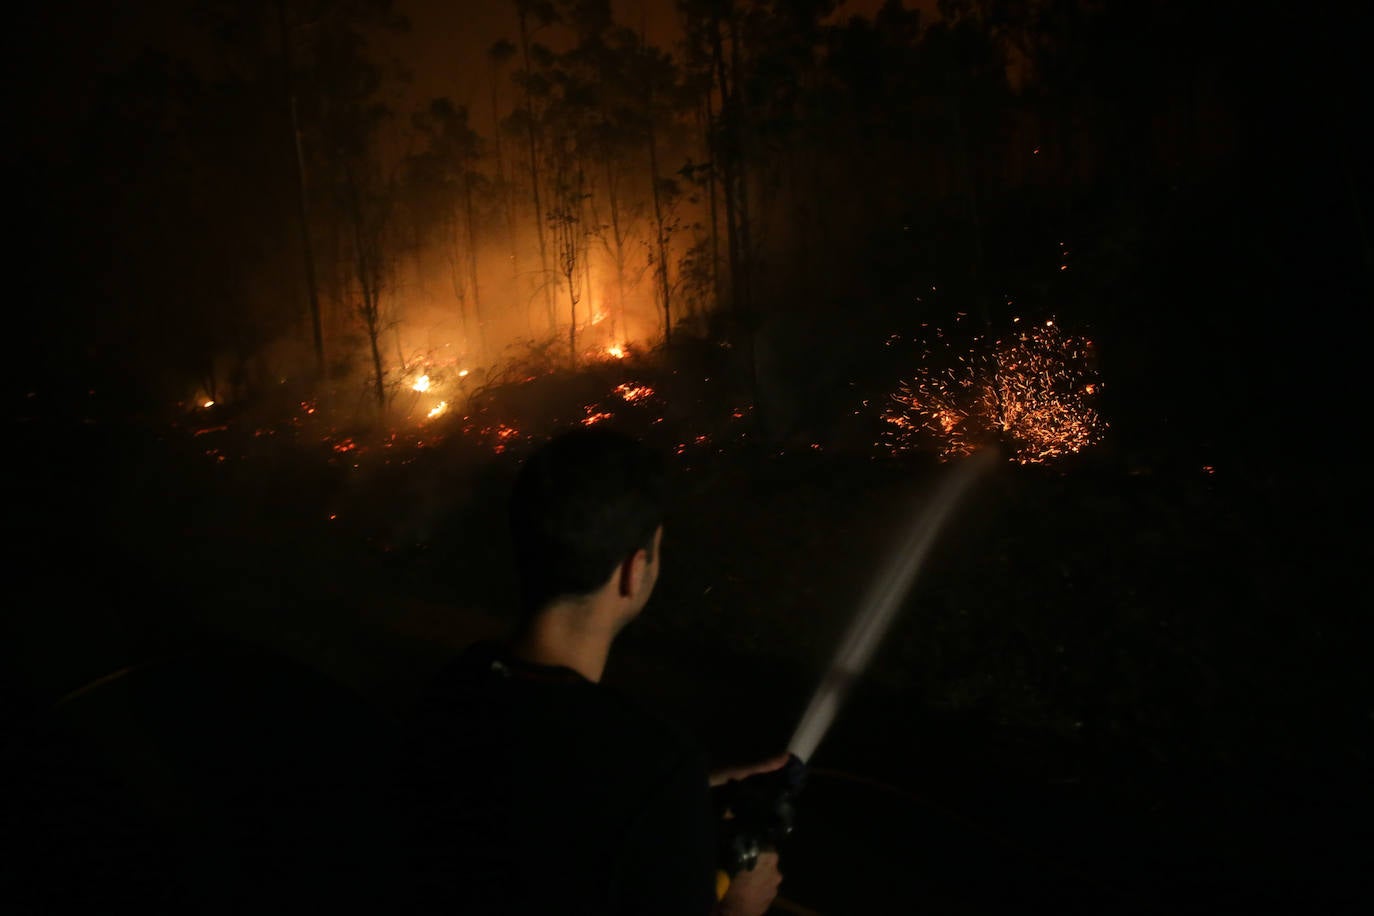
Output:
[[1119, 686]]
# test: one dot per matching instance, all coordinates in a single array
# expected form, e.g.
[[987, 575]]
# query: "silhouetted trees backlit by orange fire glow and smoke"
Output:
[[219, 194]]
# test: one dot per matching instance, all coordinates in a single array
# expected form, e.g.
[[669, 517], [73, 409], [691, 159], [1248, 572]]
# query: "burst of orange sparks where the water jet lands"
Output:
[[1031, 391]]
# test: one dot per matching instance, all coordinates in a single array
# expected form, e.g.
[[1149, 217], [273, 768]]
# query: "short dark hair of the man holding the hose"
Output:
[[583, 503]]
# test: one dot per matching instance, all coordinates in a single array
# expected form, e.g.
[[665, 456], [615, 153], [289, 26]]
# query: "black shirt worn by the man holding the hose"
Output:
[[538, 792]]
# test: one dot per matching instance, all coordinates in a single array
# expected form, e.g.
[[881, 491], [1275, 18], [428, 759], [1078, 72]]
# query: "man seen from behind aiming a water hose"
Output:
[[542, 790]]
